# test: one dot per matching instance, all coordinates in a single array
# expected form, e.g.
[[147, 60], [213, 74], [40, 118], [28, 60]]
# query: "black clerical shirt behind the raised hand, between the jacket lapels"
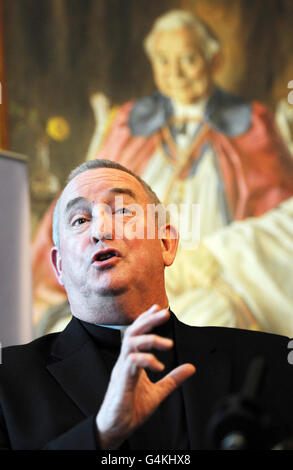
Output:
[[166, 428]]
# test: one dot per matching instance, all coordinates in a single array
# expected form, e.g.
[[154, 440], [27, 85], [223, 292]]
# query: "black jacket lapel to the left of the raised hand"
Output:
[[79, 370]]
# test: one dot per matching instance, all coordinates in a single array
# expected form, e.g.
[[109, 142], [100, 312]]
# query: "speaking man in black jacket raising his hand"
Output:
[[87, 387]]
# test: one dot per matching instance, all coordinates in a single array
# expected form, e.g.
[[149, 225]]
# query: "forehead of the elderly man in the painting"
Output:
[[176, 39]]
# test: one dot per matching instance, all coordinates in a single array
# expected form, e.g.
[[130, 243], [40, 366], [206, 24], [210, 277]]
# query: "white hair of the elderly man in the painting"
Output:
[[176, 19]]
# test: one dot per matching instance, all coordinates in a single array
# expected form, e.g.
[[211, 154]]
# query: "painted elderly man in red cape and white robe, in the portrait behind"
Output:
[[195, 143]]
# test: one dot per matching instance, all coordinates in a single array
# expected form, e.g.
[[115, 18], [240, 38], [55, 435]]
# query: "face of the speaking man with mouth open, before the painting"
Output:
[[99, 254]]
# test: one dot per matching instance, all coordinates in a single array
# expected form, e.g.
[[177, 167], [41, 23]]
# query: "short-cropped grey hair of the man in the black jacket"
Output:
[[91, 165]]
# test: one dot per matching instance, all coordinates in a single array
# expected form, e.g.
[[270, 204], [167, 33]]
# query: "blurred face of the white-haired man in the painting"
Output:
[[180, 69]]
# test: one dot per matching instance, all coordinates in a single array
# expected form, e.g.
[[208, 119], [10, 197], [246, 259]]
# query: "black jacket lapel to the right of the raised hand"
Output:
[[210, 382]]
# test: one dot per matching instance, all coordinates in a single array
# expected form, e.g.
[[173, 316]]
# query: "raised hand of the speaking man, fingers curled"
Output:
[[131, 397]]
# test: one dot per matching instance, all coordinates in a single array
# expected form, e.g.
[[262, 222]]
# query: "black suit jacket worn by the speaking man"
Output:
[[52, 388]]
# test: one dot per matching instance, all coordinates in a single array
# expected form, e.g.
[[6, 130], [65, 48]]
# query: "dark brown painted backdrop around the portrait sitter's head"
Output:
[[56, 53]]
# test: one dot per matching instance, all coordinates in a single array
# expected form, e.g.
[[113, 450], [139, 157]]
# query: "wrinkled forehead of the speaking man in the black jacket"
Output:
[[98, 183]]
